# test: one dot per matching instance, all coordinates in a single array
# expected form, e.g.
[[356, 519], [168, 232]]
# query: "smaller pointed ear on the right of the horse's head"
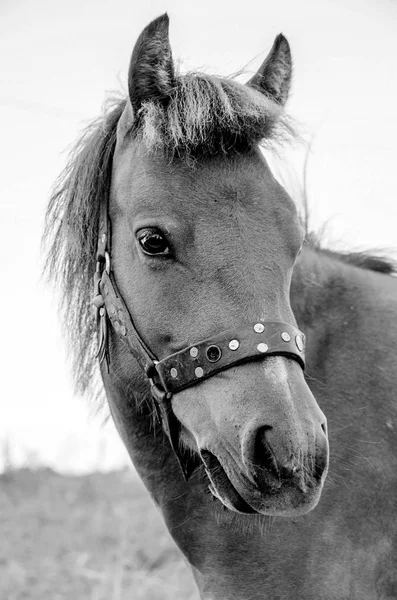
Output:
[[274, 75]]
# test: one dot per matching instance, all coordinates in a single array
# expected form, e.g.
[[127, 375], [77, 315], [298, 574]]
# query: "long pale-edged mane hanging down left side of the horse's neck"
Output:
[[71, 233]]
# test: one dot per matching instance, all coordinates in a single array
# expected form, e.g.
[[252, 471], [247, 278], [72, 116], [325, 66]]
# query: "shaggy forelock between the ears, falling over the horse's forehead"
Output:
[[208, 115]]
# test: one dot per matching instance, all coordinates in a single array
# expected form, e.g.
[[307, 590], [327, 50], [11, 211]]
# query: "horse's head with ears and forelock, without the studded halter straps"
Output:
[[204, 240]]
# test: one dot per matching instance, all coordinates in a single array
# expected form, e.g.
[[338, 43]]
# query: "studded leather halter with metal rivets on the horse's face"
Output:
[[191, 365]]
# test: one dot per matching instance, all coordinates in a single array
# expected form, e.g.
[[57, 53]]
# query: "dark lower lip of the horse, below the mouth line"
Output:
[[221, 487]]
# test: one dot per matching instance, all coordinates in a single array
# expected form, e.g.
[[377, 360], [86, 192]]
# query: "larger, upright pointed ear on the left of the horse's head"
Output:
[[151, 71]]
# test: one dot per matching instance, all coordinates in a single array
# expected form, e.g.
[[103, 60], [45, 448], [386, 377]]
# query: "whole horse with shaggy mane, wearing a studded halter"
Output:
[[221, 332]]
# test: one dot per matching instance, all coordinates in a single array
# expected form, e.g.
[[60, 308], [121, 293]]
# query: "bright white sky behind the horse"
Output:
[[61, 60]]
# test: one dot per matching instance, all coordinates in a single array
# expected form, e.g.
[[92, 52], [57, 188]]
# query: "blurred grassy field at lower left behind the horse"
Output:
[[93, 537]]
